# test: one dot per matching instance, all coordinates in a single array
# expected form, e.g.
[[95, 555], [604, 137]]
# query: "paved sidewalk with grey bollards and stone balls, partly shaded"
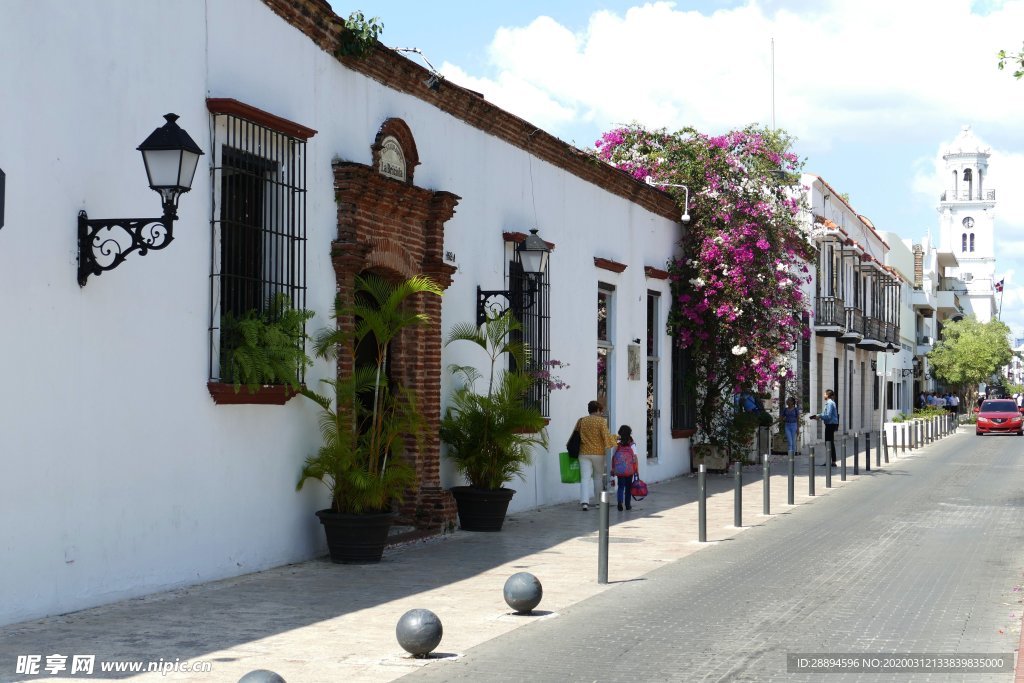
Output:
[[322, 622]]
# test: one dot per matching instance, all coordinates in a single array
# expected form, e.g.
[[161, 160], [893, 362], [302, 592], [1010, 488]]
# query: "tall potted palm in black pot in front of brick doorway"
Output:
[[366, 423]]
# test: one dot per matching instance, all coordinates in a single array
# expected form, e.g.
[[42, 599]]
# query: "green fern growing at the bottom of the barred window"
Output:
[[266, 347]]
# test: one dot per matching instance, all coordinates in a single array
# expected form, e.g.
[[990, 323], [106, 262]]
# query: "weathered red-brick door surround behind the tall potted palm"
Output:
[[396, 230]]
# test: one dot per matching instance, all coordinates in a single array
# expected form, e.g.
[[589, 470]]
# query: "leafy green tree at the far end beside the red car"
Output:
[[970, 353]]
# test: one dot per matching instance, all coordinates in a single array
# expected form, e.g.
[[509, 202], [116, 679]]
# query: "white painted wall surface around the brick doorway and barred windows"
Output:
[[120, 476]]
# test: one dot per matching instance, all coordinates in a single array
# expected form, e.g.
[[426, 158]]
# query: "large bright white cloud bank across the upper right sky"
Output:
[[859, 70]]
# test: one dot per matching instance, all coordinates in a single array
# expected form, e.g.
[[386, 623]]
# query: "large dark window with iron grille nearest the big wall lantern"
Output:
[[259, 247]]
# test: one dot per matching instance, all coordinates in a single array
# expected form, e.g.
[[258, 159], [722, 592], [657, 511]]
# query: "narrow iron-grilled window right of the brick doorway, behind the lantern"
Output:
[[531, 306]]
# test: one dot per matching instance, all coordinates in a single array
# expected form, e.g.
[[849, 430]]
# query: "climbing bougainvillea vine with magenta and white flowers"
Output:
[[738, 297]]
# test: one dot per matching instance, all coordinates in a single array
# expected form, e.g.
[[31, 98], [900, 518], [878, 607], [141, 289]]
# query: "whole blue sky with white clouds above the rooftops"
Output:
[[872, 90]]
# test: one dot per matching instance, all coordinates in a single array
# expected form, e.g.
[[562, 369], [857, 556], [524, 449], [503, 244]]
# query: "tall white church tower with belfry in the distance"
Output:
[[967, 224]]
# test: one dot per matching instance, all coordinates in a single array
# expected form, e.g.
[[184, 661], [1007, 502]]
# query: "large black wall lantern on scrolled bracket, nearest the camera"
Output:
[[170, 157]]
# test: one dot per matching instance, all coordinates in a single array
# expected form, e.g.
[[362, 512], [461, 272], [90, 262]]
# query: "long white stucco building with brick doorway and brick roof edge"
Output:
[[129, 466]]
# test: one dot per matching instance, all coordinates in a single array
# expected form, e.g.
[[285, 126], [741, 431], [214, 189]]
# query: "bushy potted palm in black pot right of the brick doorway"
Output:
[[490, 436]]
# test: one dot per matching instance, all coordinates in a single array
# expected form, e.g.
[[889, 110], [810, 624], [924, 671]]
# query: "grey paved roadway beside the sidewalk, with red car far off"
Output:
[[925, 558]]
